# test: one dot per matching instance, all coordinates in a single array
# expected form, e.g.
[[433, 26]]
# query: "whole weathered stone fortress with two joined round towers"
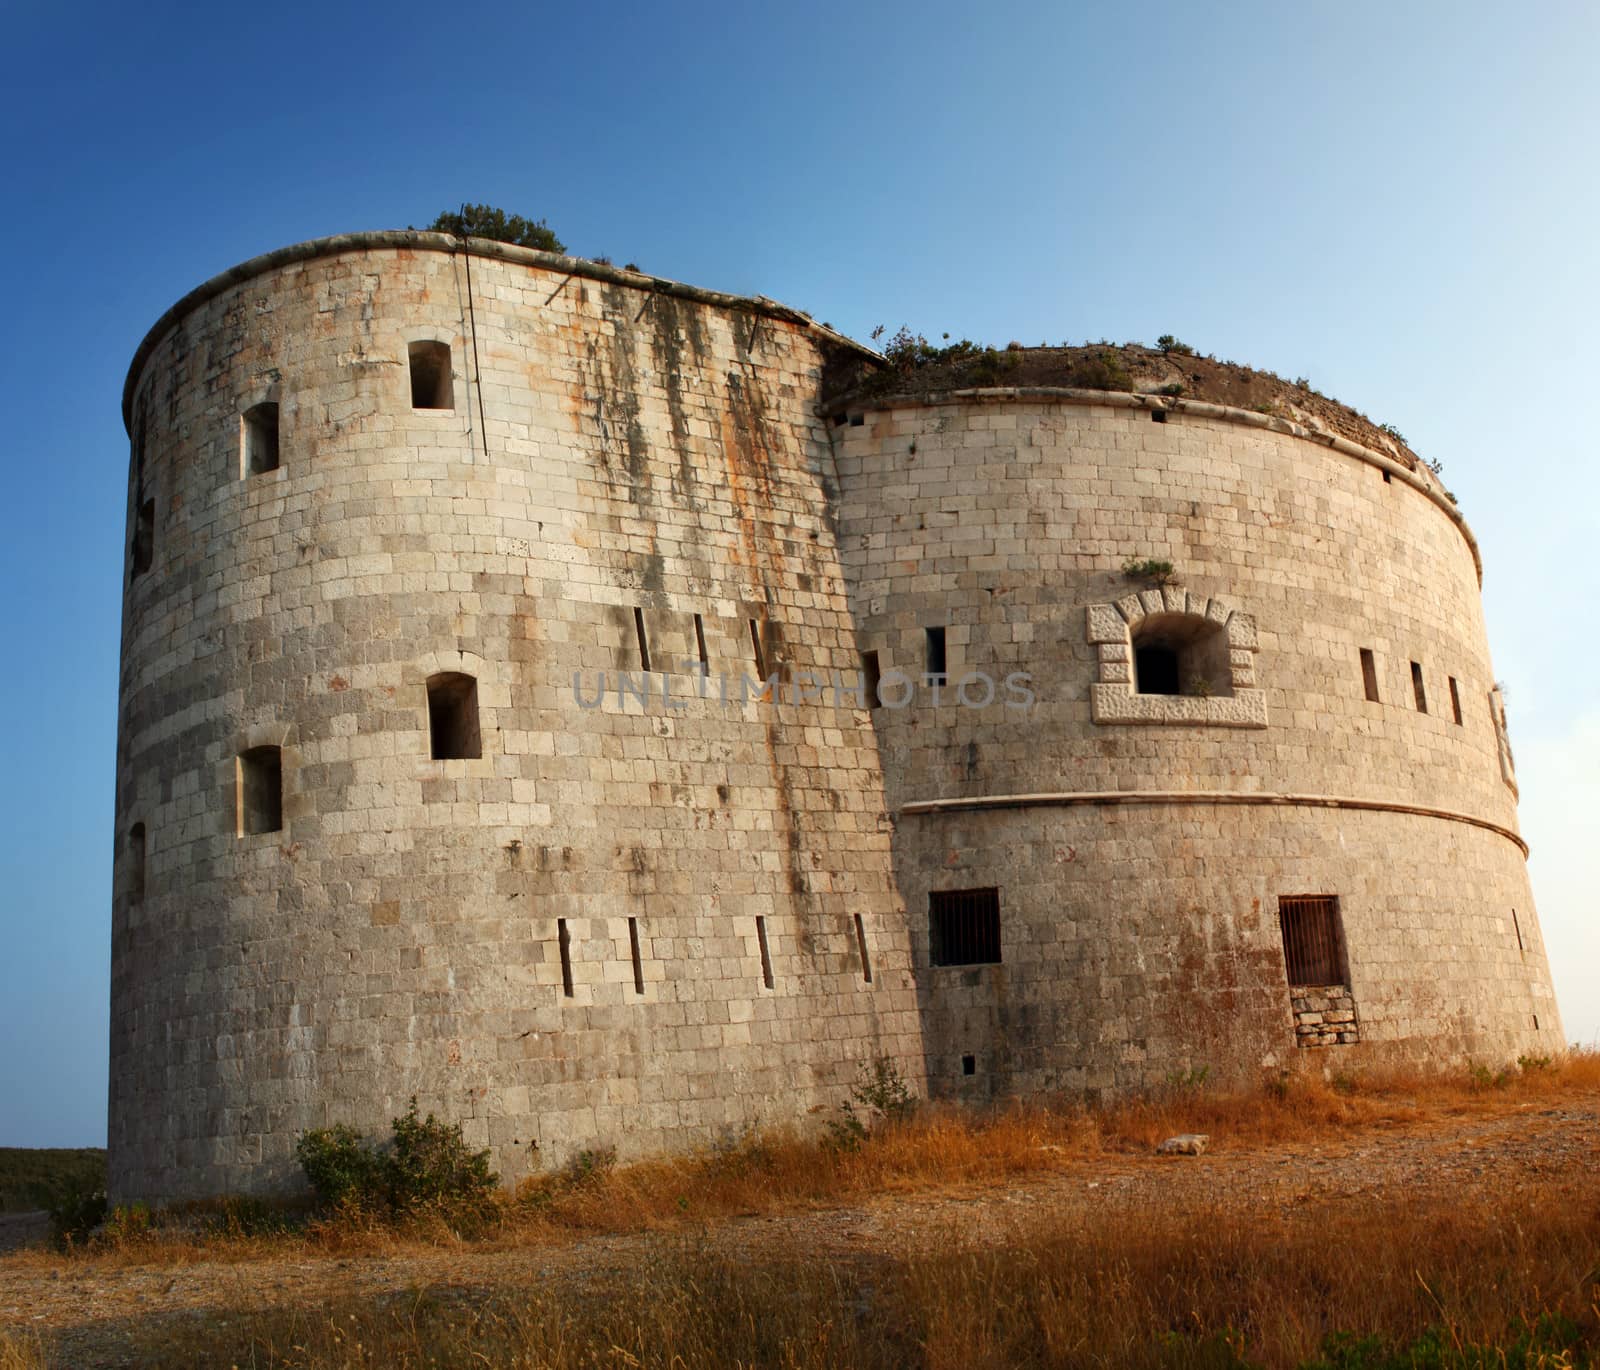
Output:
[[614, 713]]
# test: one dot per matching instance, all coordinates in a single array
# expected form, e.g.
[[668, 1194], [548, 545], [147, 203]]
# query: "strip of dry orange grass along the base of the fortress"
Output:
[[785, 1172]]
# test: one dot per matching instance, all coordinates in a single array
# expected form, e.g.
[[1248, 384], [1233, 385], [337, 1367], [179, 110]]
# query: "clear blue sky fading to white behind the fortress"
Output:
[[1398, 201]]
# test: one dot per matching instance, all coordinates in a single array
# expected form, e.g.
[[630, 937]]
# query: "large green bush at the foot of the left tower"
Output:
[[426, 1164]]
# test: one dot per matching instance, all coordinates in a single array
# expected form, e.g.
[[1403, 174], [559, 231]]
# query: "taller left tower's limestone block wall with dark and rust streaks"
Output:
[[602, 457]]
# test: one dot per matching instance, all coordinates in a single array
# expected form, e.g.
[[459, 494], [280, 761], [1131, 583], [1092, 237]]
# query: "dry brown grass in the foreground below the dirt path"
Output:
[[1465, 1276]]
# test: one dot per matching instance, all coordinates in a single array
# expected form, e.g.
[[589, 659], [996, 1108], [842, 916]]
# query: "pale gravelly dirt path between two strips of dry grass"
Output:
[[89, 1310]]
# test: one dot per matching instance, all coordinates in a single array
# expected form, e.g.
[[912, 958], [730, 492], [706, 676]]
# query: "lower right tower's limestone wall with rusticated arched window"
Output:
[[1138, 843]]
